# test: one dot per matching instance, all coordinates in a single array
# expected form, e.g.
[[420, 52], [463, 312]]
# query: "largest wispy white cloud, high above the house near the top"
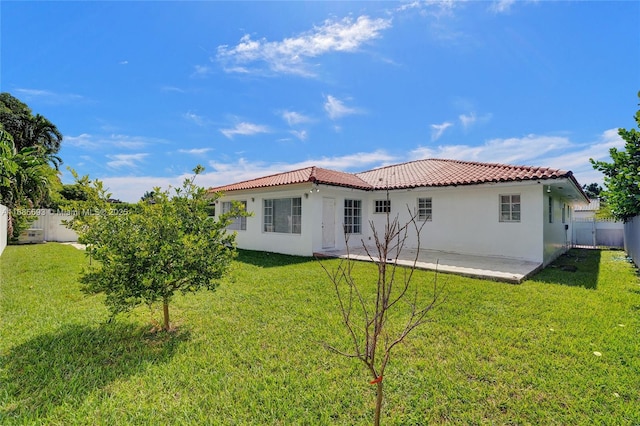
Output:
[[289, 55]]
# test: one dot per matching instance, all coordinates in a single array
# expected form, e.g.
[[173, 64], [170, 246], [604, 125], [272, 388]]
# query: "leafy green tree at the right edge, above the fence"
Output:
[[622, 175]]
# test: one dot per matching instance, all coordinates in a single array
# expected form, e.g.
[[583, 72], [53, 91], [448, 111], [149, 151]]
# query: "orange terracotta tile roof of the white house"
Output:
[[420, 173]]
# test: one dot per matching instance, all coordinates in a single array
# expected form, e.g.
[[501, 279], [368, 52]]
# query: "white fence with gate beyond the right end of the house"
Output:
[[598, 232]]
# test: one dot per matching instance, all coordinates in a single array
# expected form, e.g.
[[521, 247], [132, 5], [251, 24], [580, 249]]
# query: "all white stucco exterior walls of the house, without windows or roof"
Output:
[[465, 220]]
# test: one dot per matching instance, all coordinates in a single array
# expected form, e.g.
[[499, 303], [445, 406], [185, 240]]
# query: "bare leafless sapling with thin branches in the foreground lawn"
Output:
[[377, 322]]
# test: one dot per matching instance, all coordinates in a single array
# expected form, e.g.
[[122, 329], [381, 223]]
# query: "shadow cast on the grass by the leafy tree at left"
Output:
[[63, 367]]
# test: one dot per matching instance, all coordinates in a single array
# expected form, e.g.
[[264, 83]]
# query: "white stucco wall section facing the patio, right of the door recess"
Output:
[[466, 220]]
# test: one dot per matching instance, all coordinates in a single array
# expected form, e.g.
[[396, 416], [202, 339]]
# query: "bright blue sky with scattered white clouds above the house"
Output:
[[144, 91]]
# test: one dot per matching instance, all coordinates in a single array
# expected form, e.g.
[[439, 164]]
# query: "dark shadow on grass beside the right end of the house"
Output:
[[576, 268]]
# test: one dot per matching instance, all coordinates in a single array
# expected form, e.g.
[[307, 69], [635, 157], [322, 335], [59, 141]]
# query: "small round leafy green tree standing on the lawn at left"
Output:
[[147, 255]]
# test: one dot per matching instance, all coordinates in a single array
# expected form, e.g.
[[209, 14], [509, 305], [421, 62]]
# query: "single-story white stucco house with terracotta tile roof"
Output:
[[470, 208]]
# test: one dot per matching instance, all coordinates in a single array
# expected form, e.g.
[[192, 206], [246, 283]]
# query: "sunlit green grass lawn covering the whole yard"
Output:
[[561, 348]]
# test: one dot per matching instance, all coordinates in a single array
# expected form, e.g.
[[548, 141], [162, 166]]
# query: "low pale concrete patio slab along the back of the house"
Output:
[[485, 267]]
